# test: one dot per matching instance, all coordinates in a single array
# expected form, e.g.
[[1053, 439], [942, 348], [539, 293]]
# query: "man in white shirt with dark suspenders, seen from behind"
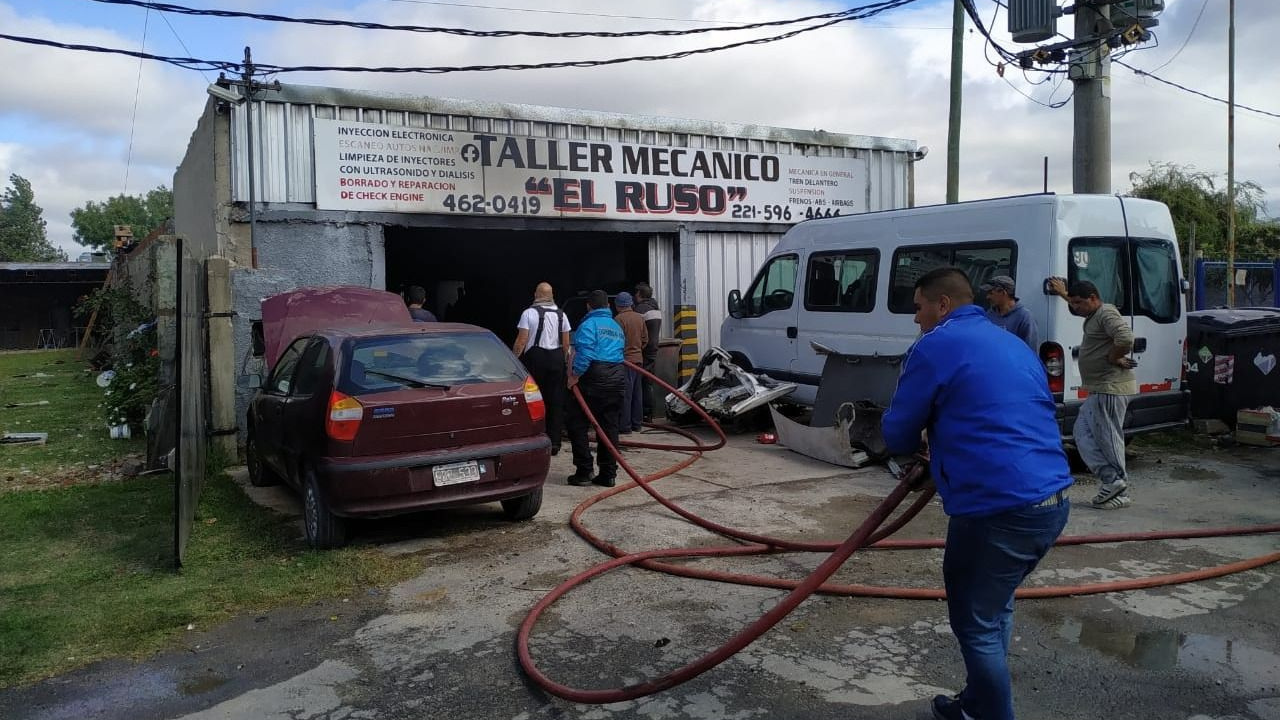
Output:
[[542, 344]]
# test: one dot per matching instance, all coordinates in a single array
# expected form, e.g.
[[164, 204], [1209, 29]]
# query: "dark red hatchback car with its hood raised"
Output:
[[385, 420]]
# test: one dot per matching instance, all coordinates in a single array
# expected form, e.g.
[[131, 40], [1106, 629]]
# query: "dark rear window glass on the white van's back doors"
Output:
[[1139, 276]]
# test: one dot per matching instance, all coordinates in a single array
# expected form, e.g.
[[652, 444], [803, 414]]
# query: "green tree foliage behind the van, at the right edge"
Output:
[[1197, 199]]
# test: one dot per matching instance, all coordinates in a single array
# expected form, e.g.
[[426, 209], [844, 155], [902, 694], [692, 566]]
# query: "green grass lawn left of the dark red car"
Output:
[[86, 571]]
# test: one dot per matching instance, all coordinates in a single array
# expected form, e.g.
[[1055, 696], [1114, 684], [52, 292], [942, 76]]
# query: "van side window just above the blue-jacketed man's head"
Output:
[[980, 261]]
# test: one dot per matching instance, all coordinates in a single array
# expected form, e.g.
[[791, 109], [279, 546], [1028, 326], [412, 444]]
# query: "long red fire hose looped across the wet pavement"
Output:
[[870, 535]]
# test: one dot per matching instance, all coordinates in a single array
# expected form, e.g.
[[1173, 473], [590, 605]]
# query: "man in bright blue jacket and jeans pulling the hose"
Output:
[[998, 462]]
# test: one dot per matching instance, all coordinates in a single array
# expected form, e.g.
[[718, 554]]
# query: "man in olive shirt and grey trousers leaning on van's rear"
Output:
[[1107, 375]]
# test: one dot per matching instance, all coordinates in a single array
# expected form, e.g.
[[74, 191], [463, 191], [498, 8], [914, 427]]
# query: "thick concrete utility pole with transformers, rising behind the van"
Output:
[[1091, 72]]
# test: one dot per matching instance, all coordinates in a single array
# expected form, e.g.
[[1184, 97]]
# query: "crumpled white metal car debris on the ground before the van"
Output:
[[725, 390]]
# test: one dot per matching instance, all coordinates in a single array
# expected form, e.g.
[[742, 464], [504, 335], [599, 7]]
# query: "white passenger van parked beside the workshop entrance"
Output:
[[848, 284]]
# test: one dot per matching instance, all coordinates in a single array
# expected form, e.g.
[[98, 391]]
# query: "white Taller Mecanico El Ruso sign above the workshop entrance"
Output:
[[401, 170]]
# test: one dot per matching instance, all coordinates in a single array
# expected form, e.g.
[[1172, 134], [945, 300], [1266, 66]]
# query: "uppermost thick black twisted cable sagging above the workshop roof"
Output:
[[467, 33]]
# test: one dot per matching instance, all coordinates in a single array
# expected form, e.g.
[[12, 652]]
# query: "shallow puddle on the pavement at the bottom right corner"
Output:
[[1222, 659]]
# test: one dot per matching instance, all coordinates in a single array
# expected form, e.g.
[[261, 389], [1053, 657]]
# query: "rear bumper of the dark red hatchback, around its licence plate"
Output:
[[392, 485]]
